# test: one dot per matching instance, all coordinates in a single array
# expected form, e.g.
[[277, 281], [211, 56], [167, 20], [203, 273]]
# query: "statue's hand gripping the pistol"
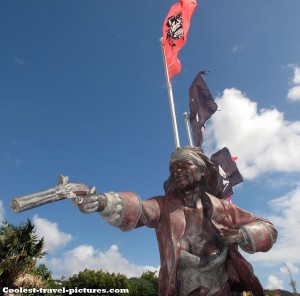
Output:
[[92, 202]]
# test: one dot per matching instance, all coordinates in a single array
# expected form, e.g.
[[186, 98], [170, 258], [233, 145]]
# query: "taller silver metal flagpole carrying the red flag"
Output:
[[171, 100]]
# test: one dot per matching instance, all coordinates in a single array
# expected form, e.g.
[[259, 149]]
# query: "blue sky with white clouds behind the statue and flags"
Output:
[[82, 93]]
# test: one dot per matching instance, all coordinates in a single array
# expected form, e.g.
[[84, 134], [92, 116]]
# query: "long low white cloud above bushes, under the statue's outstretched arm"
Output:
[[86, 256]]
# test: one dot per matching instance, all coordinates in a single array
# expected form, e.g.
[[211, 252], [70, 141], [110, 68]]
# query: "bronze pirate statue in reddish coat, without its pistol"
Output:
[[198, 232]]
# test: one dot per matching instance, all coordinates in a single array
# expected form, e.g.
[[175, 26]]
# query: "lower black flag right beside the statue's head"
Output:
[[229, 174]]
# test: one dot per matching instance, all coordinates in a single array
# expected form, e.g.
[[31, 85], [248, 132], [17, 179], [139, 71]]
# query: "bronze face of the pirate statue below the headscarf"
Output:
[[185, 174]]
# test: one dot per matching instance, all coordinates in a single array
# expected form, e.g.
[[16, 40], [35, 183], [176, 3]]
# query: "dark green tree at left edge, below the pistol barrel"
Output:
[[19, 249]]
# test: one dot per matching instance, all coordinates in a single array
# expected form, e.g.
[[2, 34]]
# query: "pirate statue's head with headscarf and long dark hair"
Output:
[[190, 167]]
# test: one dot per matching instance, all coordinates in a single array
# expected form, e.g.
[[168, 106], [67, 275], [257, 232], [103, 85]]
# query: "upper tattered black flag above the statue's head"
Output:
[[202, 107]]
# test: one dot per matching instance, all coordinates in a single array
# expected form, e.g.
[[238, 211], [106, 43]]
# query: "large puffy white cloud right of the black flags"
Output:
[[262, 139]]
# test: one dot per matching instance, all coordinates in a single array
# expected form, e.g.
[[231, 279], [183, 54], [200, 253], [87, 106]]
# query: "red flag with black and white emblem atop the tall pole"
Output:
[[175, 29]]
